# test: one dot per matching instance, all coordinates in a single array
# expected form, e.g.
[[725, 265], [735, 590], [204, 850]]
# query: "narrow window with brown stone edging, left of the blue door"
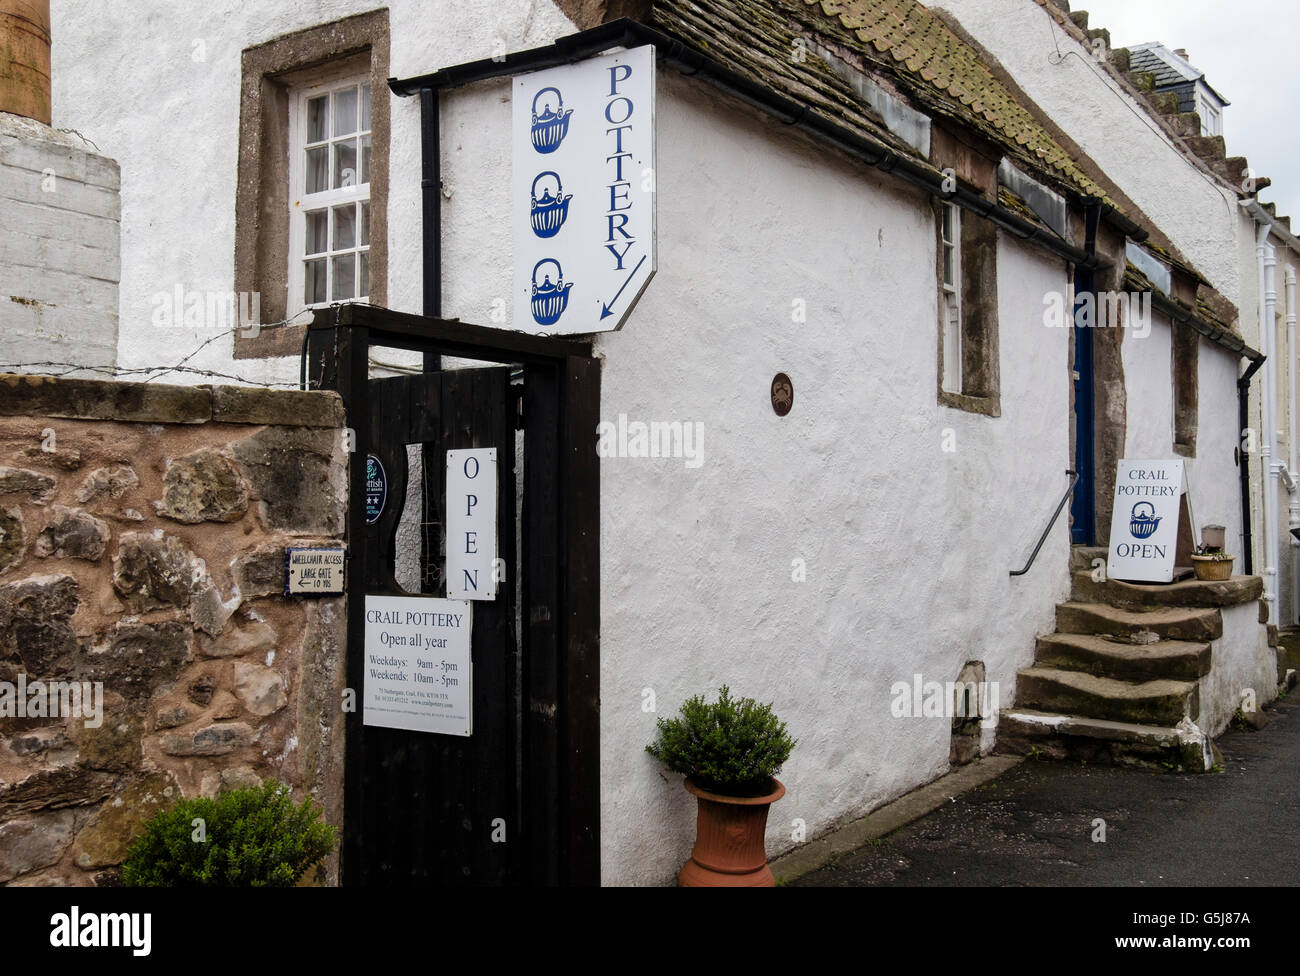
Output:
[[968, 311]]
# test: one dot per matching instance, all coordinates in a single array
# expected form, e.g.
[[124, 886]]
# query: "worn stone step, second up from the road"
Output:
[[1159, 702]]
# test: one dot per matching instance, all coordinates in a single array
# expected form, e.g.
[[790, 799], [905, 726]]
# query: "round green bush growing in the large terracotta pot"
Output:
[[730, 747]]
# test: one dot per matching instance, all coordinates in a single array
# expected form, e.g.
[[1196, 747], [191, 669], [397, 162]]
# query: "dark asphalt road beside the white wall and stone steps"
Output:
[[1034, 826]]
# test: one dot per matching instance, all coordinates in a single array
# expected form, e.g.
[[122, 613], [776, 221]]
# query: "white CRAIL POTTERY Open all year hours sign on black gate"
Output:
[[418, 670]]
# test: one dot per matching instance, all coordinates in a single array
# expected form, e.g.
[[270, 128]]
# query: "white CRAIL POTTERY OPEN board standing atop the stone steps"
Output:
[[1145, 522]]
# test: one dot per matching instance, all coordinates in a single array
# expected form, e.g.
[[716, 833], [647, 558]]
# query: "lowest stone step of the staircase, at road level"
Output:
[[1055, 736]]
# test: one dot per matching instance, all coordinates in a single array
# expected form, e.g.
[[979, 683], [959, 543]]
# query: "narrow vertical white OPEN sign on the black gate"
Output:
[[473, 524]]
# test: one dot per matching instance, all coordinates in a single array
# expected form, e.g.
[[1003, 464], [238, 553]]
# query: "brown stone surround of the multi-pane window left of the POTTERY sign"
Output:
[[262, 199]]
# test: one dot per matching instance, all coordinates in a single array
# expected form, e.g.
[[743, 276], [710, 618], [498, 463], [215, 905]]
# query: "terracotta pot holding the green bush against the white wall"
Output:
[[730, 851]]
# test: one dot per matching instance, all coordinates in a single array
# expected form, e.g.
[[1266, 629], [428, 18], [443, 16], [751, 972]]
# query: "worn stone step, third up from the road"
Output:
[[1180, 661]]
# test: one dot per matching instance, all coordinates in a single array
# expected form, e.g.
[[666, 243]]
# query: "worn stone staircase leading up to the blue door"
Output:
[[1120, 679]]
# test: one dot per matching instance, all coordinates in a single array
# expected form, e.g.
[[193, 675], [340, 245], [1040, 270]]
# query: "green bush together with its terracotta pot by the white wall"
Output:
[[730, 752]]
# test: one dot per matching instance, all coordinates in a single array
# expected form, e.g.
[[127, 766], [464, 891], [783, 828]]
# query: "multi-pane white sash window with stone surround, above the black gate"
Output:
[[322, 75]]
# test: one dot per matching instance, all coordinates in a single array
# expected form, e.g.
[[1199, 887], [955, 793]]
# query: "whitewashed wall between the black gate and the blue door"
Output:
[[908, 549]]
